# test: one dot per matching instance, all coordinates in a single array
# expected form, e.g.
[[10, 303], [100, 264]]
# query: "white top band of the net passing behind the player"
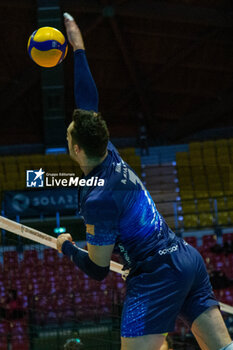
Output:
[[49, 241]]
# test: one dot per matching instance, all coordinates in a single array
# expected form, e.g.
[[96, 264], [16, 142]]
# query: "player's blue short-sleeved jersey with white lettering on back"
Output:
[[122, 212]]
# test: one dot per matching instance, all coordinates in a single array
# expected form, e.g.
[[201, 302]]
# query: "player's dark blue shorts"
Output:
[[174, 282]]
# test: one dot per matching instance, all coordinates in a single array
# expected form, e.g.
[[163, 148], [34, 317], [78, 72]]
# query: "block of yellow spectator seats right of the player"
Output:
[[206, 184]]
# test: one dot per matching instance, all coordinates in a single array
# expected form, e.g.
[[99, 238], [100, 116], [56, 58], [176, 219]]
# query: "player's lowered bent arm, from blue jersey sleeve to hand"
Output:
[[101, 231]]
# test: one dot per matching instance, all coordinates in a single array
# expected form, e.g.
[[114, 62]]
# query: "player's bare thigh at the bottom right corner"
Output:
[[210, 331]]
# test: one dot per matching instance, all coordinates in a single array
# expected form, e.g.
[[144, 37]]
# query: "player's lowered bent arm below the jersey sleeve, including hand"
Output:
[[95, 263]]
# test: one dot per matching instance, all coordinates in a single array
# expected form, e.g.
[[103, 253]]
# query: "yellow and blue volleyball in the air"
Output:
[[47, 47]]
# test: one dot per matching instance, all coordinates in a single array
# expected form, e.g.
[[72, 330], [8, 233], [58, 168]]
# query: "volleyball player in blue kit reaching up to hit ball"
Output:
[[167, 276]]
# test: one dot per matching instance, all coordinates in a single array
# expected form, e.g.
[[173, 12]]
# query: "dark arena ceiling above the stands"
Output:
[[170, 61]]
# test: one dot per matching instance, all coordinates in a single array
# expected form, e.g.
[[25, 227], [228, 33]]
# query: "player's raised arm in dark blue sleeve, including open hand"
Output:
[[85, 91]]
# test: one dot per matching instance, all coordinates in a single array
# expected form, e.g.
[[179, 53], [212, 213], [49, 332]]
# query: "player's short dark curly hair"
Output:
[[90, 133]]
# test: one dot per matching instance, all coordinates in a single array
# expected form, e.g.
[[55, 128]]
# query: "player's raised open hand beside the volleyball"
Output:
[[73, 33]]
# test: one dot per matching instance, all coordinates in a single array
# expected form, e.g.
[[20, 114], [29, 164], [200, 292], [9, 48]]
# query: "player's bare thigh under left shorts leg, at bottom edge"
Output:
[[145, 342]]
